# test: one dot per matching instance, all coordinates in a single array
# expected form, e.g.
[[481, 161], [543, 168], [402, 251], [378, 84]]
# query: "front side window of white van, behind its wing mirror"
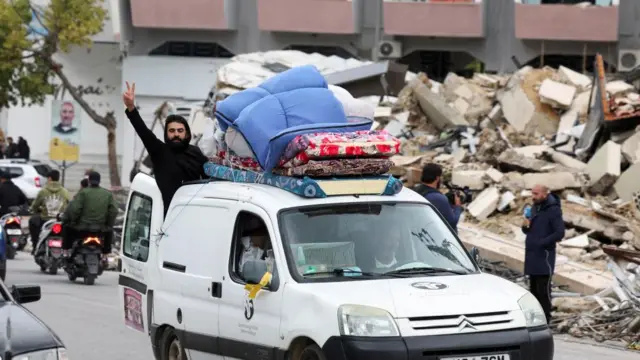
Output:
[[251, 241]]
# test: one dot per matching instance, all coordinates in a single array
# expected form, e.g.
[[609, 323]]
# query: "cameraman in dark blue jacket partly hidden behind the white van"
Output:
[[431, 180]]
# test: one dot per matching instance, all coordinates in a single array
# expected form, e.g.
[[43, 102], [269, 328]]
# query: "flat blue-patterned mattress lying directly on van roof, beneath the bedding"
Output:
[[309, 187]]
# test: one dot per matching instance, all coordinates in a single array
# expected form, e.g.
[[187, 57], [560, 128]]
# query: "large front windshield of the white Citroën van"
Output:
[[371, 240]]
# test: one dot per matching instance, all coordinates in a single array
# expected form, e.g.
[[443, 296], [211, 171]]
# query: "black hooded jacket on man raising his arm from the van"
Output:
[[172, 165]]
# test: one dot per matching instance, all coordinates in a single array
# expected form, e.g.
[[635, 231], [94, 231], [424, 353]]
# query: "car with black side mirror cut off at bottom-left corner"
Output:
[[29, 337]]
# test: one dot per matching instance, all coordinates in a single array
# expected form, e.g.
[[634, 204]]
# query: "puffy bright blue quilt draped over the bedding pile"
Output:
[[294, 102]]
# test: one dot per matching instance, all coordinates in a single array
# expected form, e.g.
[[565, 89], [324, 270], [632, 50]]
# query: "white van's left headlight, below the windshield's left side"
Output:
[[358, 320]]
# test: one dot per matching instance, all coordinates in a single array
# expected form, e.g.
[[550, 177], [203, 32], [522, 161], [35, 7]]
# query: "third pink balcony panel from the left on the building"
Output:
[[443, 18]]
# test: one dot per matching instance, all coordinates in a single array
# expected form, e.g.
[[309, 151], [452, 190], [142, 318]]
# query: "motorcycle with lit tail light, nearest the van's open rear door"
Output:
[[85, 261]]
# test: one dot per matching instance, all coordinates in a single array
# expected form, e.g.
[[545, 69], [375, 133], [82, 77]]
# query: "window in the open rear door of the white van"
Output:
[[137, 228]]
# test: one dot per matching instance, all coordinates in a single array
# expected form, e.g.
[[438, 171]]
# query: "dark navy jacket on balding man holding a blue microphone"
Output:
[[544, 231]]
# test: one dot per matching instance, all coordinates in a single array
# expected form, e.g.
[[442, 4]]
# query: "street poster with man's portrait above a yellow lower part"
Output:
[[64, 144]]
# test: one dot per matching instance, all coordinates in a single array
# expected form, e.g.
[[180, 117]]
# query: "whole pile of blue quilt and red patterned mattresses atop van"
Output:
[[295, 124]]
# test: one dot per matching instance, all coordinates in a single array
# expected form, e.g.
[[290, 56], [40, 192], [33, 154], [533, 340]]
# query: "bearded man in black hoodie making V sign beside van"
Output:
[[175, 161]]
